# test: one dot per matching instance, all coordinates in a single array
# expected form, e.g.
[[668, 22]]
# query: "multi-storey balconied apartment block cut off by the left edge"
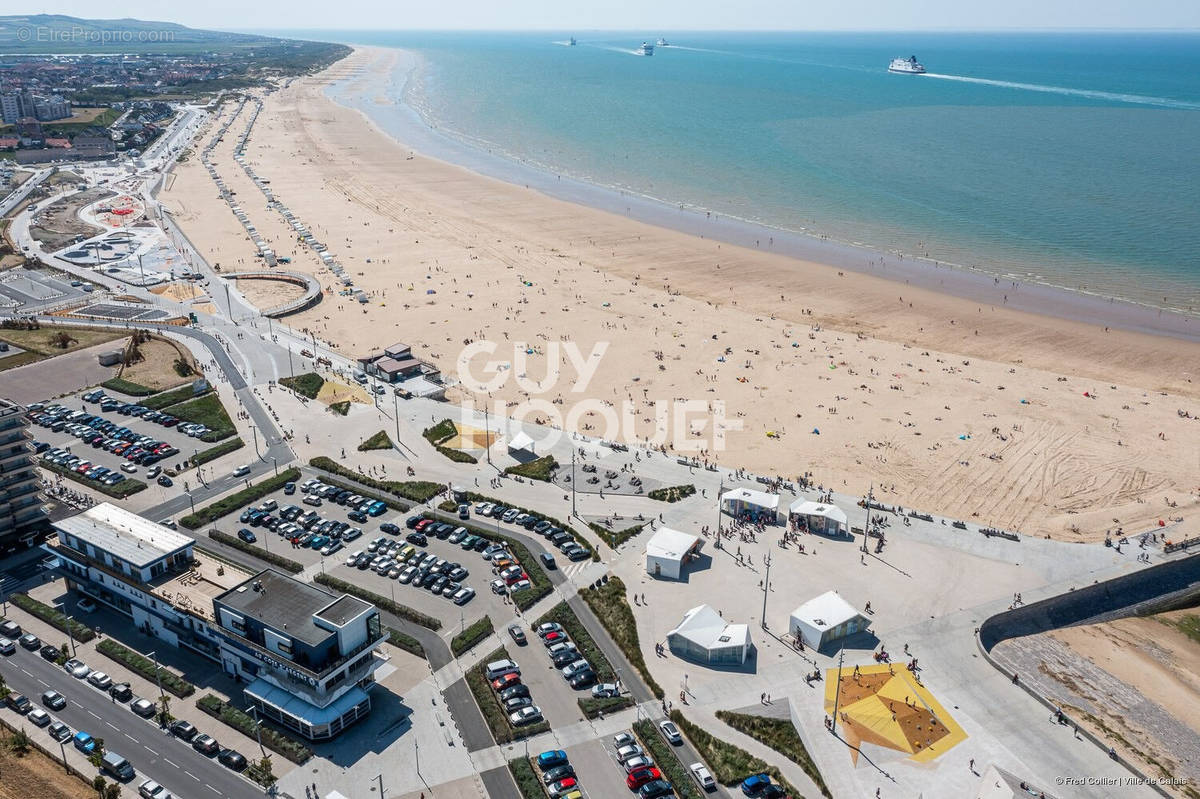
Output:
[[22, 510]]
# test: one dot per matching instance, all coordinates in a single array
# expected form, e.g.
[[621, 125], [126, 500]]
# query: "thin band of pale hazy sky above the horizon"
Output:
[[653, 16]]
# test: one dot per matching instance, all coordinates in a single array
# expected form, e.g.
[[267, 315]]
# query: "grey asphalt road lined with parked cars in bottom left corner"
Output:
[[153, 753]]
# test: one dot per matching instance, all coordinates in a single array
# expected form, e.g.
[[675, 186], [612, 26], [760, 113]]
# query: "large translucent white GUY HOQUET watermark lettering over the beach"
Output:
[[691, 426]]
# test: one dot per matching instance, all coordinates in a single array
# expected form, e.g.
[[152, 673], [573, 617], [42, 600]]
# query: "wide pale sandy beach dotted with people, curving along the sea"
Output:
[[1025, 422]]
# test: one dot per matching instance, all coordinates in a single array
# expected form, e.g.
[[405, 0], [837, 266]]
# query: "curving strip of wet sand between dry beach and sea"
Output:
[[404, 125]]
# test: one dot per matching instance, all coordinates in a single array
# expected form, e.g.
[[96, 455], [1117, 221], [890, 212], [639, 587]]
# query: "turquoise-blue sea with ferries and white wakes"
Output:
[[1070, 160]]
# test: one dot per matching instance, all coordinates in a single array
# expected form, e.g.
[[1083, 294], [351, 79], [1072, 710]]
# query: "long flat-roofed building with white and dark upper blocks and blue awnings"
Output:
[[307, 653]]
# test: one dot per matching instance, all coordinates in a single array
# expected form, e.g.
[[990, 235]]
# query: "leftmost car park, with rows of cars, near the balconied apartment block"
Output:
[[127, 444]]
